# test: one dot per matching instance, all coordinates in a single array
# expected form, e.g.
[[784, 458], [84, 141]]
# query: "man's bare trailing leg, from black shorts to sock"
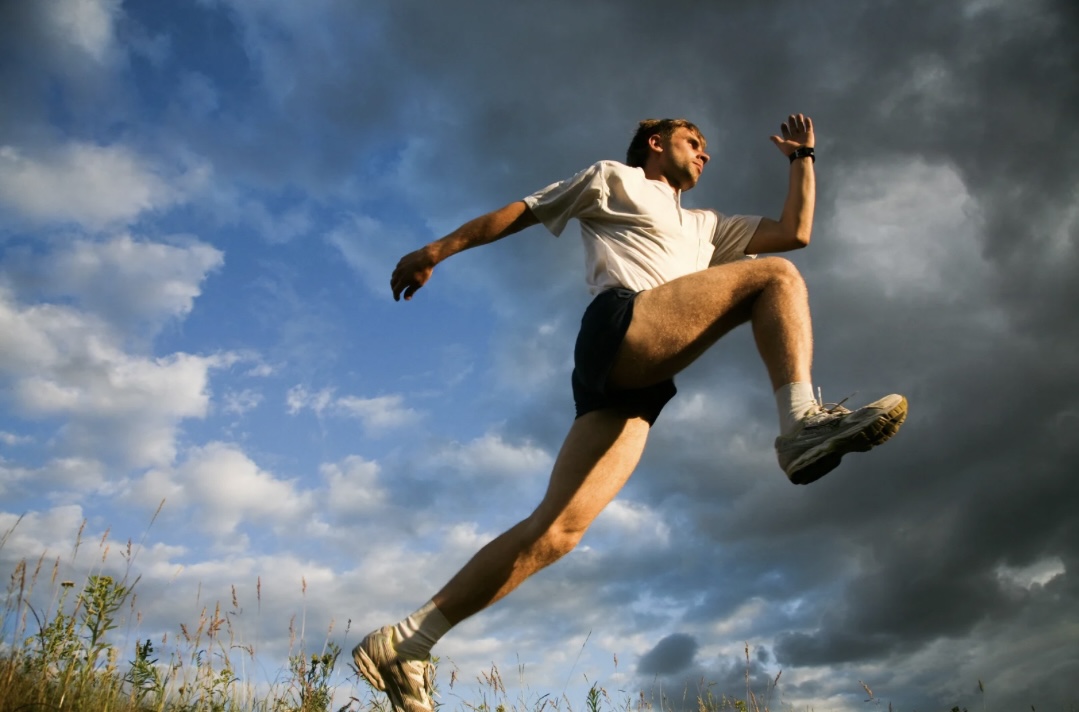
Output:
[[597, 459]]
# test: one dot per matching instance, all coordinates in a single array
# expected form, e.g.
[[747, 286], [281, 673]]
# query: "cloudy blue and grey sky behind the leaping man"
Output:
[[201, 204]]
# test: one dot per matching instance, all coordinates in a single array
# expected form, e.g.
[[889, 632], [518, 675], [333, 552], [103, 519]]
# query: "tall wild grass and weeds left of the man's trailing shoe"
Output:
[[61, 650]]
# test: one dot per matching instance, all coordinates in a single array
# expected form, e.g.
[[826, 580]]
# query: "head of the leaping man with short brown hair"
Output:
[[672, 150]]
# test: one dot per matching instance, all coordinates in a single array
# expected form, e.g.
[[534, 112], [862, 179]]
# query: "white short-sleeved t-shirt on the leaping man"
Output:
[[637, 235]]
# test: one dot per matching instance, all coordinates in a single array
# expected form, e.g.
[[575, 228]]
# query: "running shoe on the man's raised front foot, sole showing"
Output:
[[827, 434]]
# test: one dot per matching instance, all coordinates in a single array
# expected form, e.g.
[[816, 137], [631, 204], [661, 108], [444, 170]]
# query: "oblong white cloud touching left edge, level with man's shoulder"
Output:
[[93, 186]]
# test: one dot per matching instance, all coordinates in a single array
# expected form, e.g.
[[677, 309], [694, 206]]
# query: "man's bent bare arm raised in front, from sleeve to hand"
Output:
[[795, 227]]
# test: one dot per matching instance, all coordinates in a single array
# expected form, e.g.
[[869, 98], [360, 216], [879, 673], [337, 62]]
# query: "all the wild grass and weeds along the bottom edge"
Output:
[[60, 650]]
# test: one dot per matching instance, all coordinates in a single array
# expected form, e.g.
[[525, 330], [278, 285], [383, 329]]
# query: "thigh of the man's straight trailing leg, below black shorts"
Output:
[[597, 459]]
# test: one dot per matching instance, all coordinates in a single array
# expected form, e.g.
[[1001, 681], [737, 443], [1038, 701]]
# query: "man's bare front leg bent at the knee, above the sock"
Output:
[[676, 323]]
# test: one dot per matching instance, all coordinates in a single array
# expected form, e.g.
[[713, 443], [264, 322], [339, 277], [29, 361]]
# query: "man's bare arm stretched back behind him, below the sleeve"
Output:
[[415, 269]]
